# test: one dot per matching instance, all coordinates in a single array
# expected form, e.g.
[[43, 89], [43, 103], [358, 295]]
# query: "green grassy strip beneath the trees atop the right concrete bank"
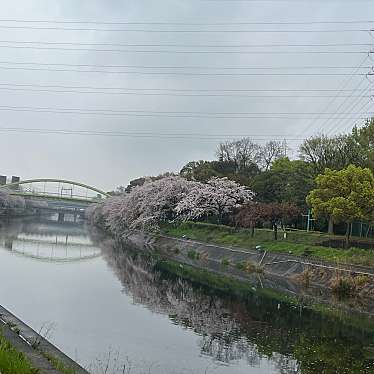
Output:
[[298, 243]]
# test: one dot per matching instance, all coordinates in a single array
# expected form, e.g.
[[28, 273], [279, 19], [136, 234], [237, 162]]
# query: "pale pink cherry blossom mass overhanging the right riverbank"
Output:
[[165, 199]]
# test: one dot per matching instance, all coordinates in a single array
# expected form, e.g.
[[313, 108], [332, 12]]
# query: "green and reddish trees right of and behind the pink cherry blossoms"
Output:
[[332, 175]]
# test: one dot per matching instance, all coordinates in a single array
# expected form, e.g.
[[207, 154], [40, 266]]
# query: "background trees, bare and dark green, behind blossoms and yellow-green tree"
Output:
[[273, 177]]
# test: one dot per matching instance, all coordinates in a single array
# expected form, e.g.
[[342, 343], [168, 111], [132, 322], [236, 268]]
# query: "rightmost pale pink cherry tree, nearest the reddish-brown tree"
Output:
[[218, 197]]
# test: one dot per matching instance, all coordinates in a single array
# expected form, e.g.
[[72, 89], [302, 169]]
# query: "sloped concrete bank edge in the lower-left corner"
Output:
[[42, 354]]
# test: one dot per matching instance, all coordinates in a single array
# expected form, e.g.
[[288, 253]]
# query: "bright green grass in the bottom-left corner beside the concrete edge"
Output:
[[12, 361]]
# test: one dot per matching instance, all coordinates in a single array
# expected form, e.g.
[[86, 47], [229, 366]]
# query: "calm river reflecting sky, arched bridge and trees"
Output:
[[114, 311]]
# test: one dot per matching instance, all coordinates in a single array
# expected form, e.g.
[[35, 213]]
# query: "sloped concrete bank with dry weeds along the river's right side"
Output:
[[282, 272]]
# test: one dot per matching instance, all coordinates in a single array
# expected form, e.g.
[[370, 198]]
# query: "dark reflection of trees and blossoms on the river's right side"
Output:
[[246, 327]]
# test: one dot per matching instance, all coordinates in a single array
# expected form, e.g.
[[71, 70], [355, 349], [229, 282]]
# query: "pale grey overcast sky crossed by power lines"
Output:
[[109, 161]]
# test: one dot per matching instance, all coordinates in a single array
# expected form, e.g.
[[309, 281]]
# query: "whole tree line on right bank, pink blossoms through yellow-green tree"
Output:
[[249, 184]]
